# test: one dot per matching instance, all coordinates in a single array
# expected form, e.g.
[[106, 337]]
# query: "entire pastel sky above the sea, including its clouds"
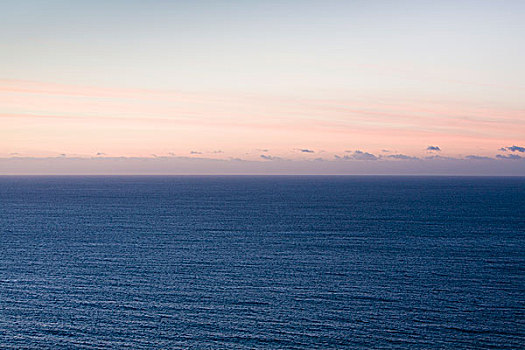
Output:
[[343, 87]]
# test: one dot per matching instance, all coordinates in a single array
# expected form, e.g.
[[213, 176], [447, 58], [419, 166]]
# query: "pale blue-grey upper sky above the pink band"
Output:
[[426, 48]]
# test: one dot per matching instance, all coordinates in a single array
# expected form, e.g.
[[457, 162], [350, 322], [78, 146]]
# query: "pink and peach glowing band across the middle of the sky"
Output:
[[39, 119]]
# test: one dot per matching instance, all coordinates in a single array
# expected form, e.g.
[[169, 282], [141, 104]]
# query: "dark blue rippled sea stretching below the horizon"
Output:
[[262, 262]]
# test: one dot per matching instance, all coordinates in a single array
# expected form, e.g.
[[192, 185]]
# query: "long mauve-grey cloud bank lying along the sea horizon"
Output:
[[269, 165]]
